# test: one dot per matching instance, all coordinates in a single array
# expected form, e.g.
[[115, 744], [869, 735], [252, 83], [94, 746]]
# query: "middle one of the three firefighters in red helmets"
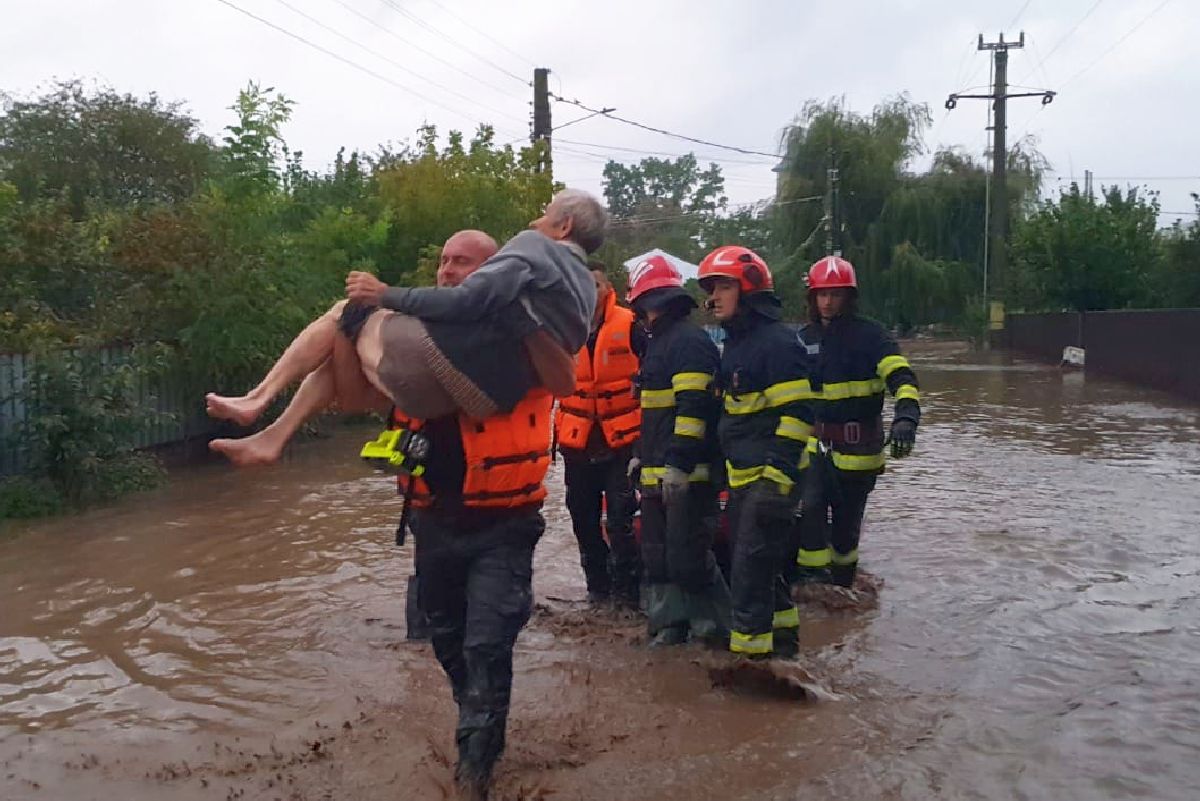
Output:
[[764, 431]]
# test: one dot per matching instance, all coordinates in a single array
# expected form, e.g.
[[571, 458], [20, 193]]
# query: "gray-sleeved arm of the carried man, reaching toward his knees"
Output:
[[500, 282]]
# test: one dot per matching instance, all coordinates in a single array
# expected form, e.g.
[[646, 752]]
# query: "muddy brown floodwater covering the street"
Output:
[[1037, 636]]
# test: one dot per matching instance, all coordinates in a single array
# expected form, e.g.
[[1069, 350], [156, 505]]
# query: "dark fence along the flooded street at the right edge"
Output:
[[1156, 348]]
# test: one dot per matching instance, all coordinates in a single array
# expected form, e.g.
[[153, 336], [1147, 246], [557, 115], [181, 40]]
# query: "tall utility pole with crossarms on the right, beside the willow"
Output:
[[998, 221]]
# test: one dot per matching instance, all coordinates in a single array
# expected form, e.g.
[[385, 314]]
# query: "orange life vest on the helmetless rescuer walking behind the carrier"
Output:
[[604, 387]]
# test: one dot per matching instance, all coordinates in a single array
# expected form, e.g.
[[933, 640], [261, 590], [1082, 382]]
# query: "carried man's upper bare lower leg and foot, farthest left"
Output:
[[307, 353]]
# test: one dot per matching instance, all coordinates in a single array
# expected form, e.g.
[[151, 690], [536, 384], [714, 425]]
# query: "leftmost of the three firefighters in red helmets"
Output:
[[686, 594]]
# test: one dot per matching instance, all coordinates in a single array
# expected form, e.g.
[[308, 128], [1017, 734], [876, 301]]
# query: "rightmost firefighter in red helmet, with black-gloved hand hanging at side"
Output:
[[851, 362]]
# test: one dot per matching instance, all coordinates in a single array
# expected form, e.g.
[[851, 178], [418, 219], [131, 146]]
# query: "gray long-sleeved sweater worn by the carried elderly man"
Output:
[[532, 284]]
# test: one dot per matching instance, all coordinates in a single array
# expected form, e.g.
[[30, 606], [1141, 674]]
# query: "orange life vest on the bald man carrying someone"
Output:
[[507, 456]]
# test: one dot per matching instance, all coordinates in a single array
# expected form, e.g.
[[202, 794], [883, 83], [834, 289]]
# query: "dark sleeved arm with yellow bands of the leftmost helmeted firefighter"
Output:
[[695, 363]]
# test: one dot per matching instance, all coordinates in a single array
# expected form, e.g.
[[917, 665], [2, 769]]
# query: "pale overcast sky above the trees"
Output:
[[728, 73]]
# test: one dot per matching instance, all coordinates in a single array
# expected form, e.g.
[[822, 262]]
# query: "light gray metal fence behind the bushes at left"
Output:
[[181, 413]]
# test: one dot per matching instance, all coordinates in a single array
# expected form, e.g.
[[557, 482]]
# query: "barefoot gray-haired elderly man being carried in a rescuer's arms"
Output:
[[477, 348]]
